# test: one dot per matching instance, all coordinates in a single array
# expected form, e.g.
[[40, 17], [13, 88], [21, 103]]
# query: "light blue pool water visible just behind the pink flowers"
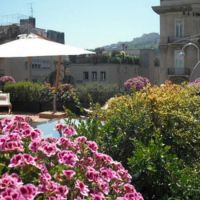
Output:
[[48, 128]]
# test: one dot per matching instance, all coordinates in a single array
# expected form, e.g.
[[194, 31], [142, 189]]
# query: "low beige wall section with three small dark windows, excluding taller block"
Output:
[[102, 73]]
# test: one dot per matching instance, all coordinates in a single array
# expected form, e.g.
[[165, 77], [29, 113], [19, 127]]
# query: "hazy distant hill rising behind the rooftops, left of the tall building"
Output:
[[146, 41]]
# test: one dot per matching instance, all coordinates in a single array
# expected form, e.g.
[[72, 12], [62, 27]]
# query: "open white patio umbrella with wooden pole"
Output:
[[33, 45]]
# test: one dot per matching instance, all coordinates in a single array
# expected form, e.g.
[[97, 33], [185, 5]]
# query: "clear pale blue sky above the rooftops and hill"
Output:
[[88, 23]]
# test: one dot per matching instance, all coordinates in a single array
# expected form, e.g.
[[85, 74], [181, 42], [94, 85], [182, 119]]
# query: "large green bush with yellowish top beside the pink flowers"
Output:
[[156, 133]]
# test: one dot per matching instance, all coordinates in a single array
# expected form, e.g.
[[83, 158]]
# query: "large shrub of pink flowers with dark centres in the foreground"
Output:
[[69, 167]]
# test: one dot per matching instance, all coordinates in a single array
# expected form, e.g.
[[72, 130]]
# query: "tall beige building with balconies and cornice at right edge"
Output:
[[179, 39]]
